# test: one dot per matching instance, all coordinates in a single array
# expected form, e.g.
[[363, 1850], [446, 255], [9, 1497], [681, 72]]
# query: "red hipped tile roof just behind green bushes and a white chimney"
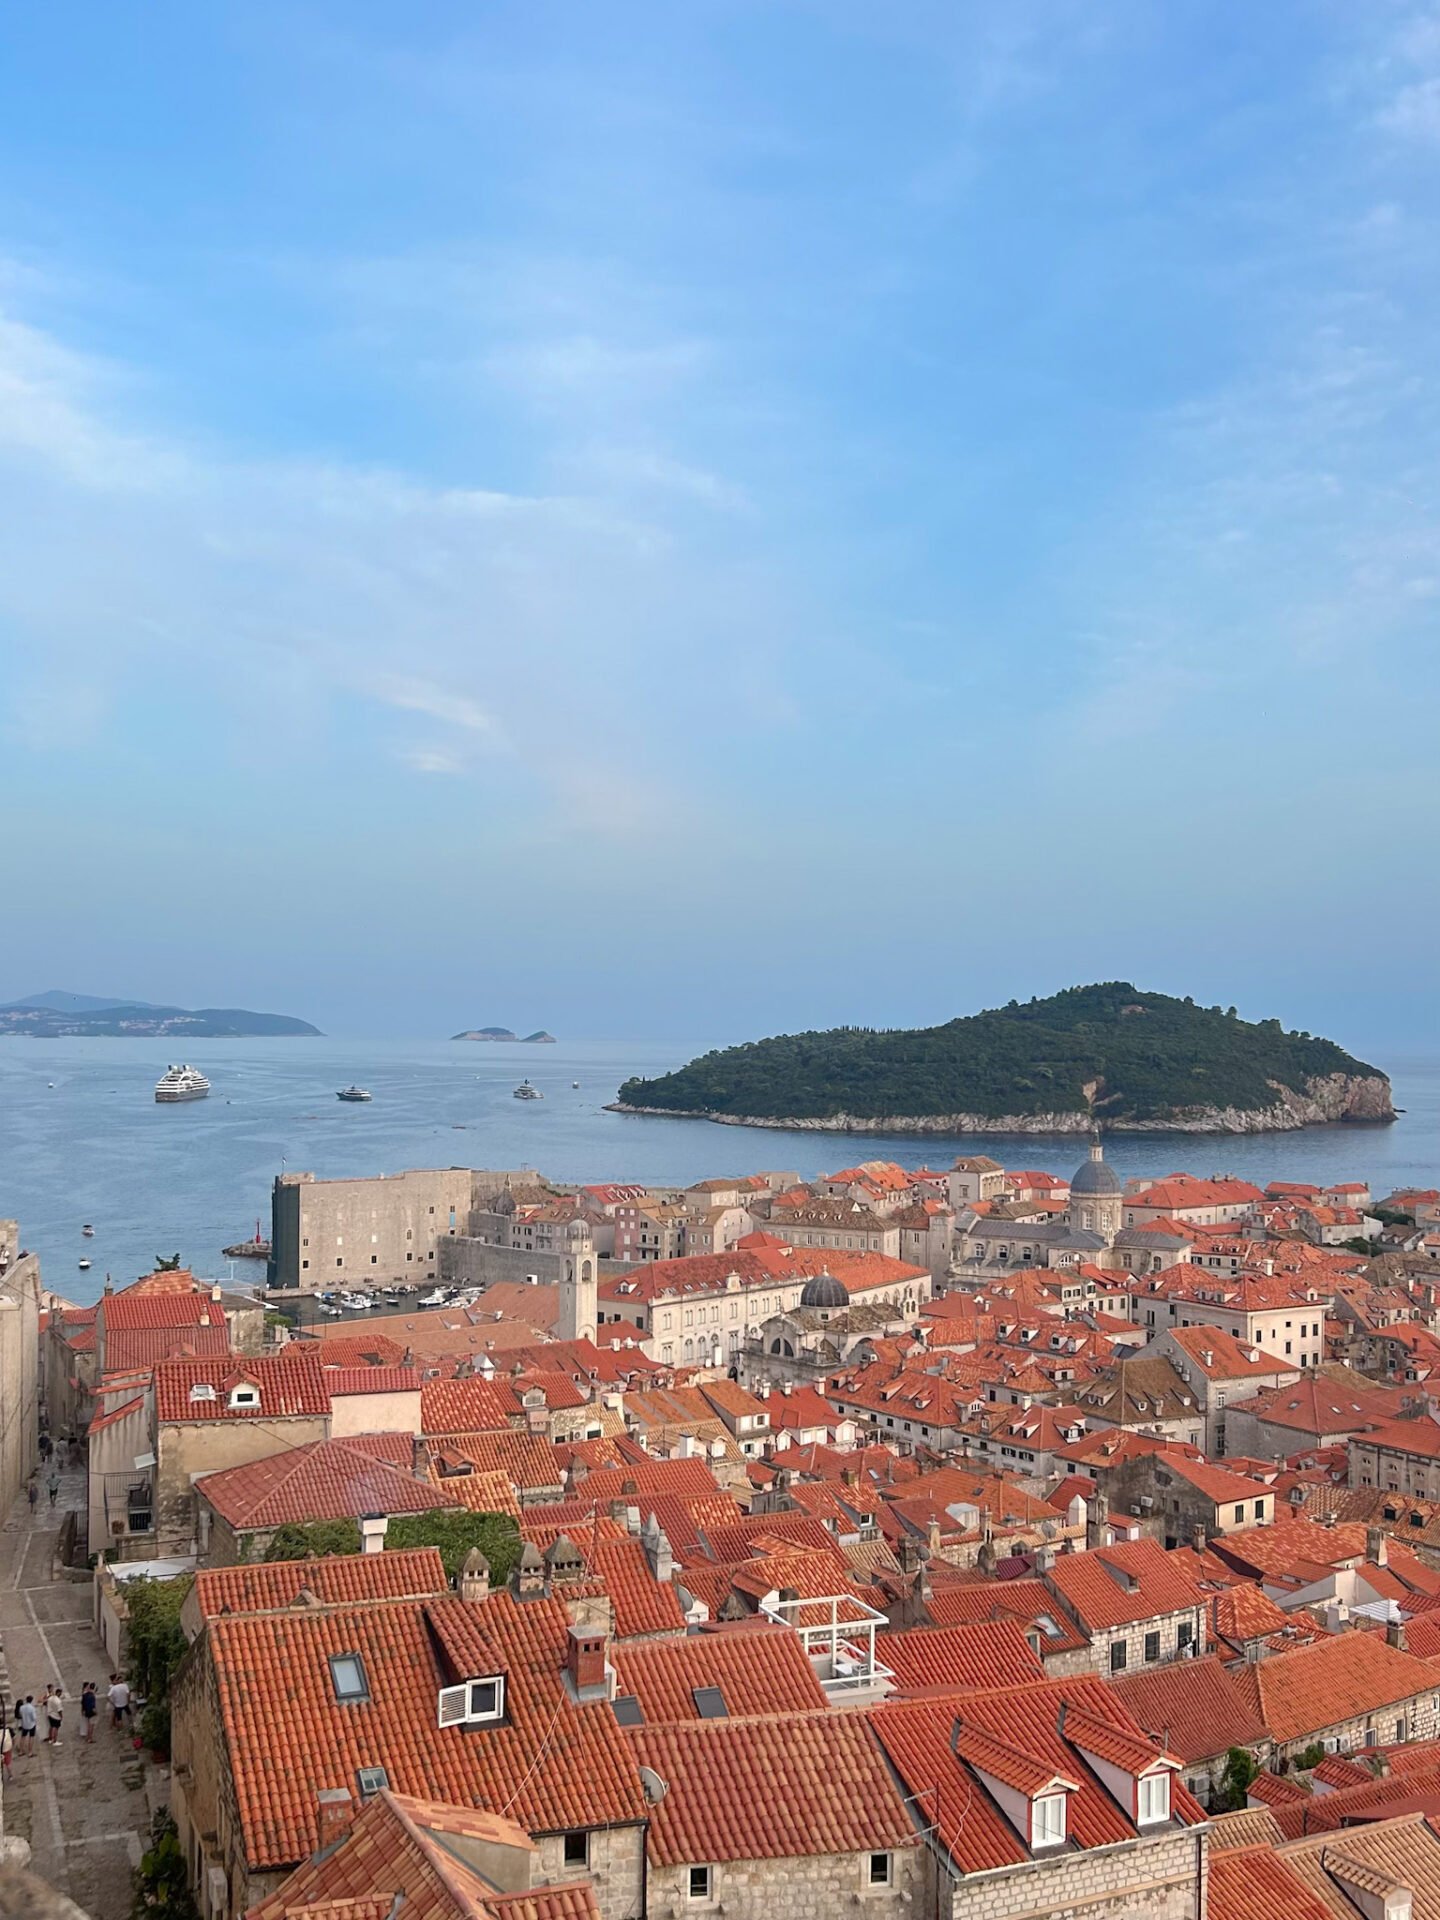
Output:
[[324, 1481]]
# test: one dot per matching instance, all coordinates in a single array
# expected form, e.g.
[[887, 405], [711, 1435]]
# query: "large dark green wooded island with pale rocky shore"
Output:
[[1093, 1057]]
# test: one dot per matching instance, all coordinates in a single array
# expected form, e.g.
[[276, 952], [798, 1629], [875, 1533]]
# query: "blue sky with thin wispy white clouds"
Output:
[[731, 517]]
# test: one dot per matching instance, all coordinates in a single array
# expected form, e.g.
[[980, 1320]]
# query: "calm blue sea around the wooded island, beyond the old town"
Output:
[[82, 1138]]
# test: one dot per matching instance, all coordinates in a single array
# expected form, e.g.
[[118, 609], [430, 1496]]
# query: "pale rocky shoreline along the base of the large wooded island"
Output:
[[1326, 1103]]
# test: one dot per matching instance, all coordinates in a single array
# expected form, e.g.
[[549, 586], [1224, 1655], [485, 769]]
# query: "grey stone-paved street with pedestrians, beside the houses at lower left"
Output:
[[84, 1810]]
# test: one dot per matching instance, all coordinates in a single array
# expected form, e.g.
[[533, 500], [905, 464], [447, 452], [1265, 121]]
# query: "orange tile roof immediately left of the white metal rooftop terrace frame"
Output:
[[757, 1671]]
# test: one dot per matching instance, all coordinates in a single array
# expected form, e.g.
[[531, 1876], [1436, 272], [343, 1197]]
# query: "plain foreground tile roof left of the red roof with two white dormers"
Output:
[[773, 1788]]
